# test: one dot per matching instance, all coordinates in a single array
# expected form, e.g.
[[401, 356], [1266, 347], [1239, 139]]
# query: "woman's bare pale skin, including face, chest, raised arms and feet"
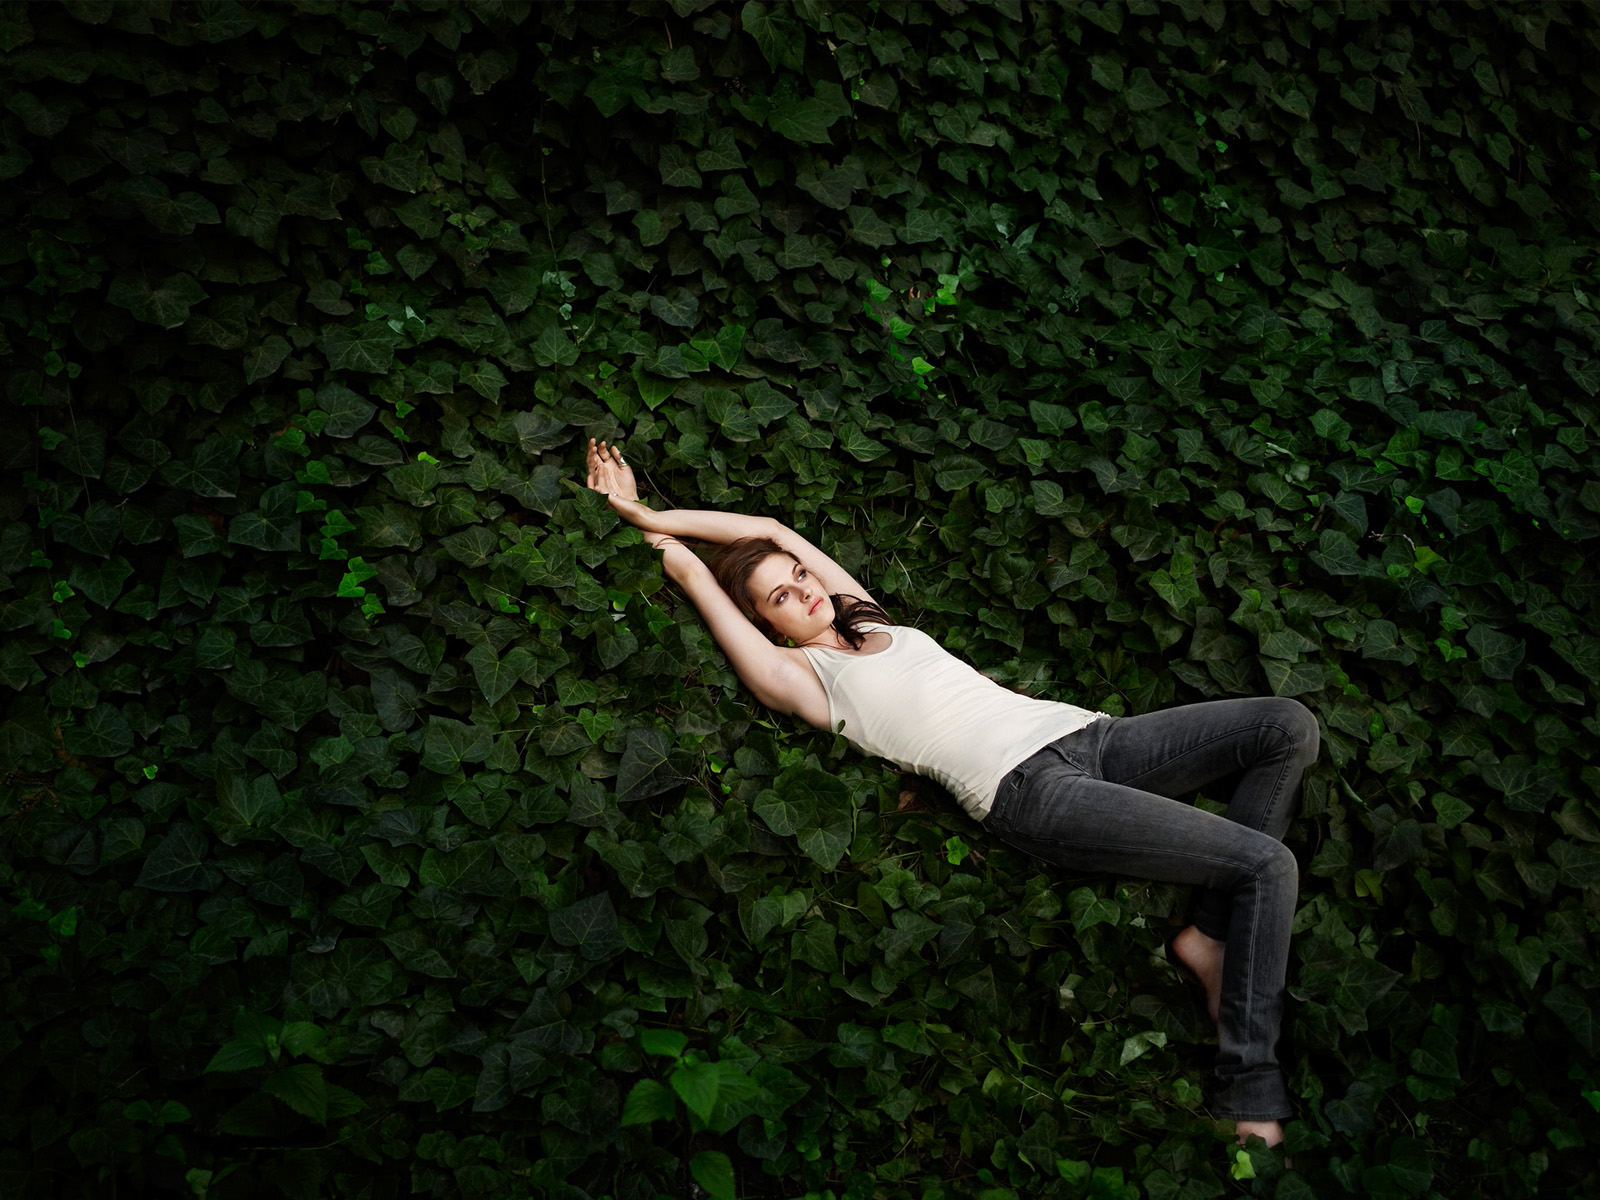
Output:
[[794, 598]]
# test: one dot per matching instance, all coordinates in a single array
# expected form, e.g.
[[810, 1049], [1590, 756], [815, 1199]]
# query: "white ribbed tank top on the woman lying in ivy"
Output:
[[929, 713]]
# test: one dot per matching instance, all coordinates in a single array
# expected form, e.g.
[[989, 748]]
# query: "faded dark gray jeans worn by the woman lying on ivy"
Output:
[[1098, 801]]
